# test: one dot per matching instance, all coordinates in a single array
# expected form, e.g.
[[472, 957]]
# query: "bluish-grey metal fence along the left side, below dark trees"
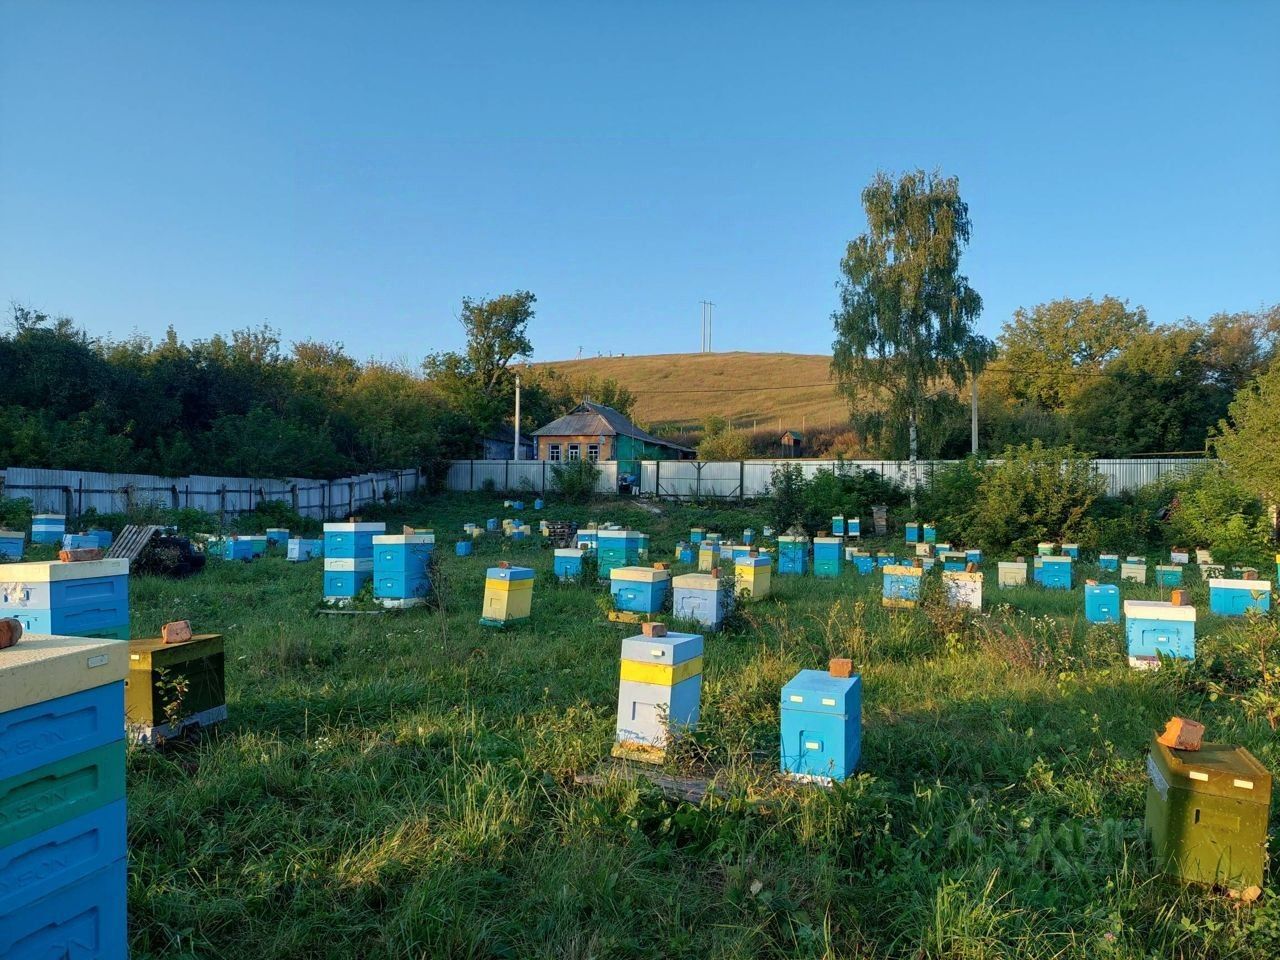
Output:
[[72, 492]]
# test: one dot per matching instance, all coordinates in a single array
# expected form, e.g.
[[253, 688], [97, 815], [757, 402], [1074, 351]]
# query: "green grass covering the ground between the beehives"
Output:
[[404, 787]]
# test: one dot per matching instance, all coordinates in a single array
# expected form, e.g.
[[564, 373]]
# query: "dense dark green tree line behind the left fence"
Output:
[[249, 405]]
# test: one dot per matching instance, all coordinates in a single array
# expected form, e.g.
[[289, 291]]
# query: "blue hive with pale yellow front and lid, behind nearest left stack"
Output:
[[89, 598]]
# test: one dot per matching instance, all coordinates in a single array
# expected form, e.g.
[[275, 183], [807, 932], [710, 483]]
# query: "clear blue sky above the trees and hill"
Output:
[[350, 172]]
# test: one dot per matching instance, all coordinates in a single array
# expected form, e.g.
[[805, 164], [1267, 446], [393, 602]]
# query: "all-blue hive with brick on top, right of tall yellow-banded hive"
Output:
[[822, 726]]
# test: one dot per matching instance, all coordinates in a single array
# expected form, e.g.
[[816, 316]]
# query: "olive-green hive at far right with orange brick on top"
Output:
[[1208, 815]]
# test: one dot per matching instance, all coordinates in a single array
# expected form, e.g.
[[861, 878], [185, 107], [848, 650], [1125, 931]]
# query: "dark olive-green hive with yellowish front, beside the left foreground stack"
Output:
[[175, 687]]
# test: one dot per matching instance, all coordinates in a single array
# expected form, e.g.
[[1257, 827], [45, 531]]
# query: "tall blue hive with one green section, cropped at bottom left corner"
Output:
[[63, 871]]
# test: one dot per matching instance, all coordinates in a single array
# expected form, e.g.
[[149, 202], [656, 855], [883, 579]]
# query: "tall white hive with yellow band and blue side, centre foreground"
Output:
[[660, 693]]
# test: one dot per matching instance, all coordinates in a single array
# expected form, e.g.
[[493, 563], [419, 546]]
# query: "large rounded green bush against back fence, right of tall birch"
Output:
[[1035, 493]]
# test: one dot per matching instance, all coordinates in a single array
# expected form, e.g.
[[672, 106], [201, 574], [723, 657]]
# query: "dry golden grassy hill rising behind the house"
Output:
[[749, 388]]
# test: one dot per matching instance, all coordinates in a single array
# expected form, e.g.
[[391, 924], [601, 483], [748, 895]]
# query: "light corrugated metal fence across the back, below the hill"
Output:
[[746, 479]]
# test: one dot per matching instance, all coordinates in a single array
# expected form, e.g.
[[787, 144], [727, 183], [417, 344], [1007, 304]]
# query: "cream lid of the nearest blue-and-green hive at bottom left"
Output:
[[42, 668]]
